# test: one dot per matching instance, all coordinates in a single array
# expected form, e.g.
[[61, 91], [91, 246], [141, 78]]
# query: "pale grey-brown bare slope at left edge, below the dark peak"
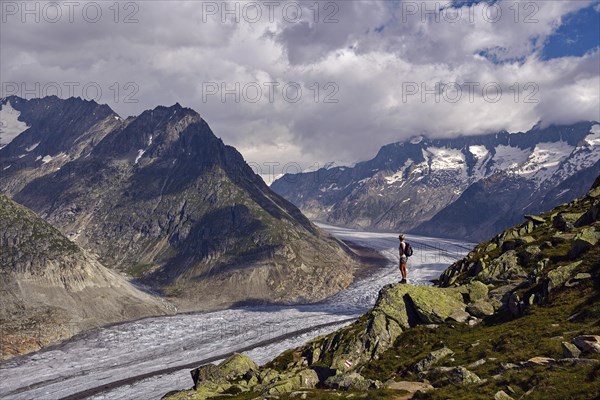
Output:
[[52, 289]]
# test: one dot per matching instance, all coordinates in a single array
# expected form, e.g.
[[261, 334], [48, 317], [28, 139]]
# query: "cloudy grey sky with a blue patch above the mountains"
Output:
[[298, 84]]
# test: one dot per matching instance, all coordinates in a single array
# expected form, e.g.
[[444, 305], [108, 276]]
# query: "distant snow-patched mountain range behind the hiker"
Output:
[[469, 187]]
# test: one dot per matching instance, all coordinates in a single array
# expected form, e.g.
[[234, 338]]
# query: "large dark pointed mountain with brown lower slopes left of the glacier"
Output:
[[161, 198]]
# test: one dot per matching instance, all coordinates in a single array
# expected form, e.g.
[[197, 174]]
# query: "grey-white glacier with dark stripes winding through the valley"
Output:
[[128, 350]]
